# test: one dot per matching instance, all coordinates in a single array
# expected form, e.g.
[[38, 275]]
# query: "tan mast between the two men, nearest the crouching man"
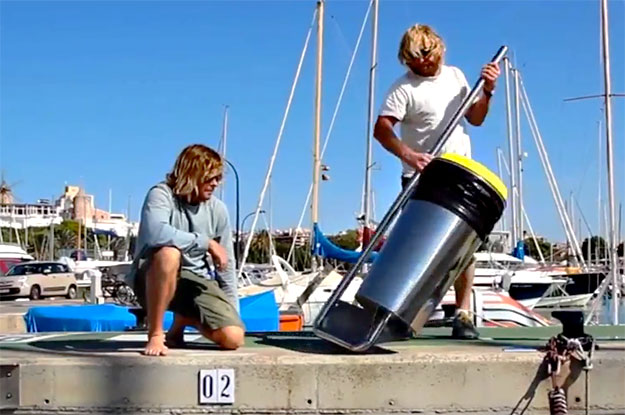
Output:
[[317, 125]]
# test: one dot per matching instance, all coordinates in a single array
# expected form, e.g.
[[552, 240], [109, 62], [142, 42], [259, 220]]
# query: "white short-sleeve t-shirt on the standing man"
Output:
[[424, 106]]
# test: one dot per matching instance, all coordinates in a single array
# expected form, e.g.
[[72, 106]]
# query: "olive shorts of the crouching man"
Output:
[[195, 297]]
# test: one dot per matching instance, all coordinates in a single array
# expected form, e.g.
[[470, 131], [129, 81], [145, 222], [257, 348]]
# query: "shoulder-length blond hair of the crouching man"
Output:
[[195, 165]]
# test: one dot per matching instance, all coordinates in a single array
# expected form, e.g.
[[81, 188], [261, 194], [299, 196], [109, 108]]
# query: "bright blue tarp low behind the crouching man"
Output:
[[259, 313]]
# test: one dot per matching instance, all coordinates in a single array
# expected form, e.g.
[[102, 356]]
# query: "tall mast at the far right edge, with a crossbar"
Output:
[[610, 160]]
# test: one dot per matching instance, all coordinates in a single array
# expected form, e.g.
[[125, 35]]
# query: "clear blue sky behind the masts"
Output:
[[105, 94]]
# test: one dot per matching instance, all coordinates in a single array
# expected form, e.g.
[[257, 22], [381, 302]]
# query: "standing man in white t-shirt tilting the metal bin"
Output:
[[423, 101]]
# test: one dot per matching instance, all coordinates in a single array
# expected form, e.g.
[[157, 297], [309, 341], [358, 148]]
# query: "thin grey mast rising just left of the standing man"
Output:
[[369, 157]]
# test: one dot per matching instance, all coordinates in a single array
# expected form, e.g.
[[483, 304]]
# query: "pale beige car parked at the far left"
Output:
[[38, 279]]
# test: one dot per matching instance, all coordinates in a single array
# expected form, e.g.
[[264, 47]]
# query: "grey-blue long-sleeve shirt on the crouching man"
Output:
[[166, 220]]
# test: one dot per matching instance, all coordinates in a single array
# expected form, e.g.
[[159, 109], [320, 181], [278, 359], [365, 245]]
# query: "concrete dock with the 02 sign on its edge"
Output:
[[298, 373]]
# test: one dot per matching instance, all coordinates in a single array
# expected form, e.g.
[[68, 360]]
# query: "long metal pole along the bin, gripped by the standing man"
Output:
[[403, 197]]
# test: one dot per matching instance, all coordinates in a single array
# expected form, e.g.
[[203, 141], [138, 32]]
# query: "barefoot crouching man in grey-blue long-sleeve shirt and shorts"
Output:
[[183, 230]]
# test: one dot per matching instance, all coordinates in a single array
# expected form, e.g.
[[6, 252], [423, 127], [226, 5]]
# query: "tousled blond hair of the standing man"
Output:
[[420, 38]]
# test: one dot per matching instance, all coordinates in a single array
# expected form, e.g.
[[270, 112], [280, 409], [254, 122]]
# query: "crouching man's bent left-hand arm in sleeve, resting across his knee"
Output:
[[155, 216]]
